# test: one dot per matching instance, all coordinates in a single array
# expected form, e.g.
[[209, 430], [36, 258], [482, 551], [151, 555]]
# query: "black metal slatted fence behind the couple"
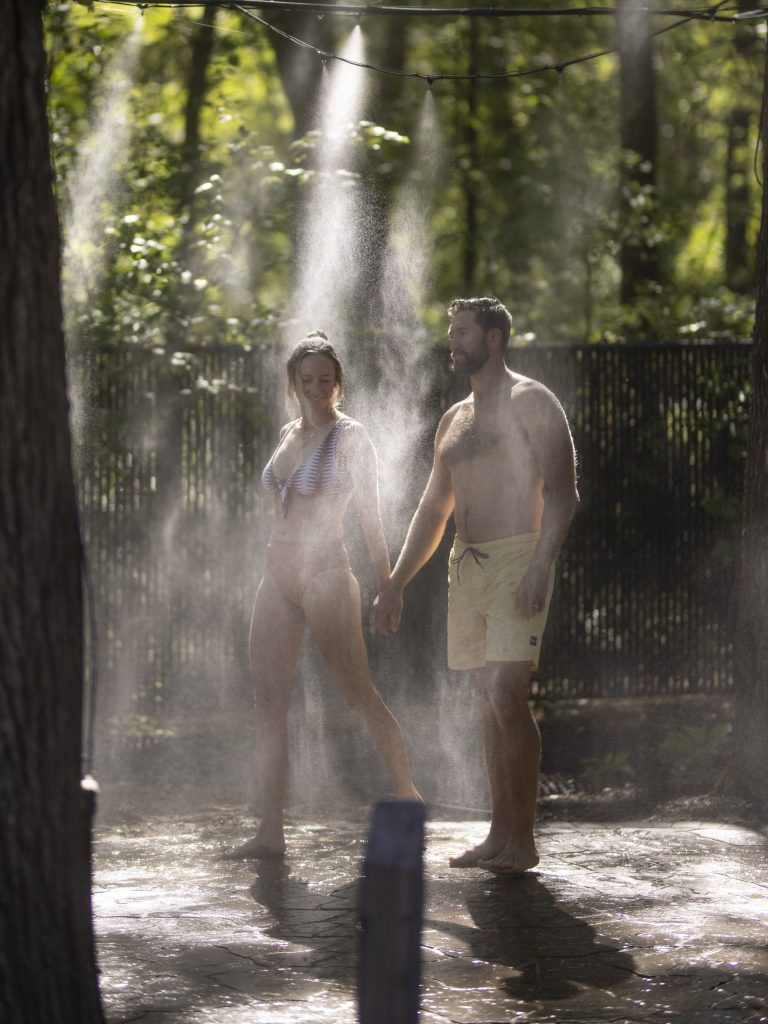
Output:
[[176, 520]]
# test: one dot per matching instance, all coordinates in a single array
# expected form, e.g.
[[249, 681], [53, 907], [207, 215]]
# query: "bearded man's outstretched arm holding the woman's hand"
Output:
[[424, 536]]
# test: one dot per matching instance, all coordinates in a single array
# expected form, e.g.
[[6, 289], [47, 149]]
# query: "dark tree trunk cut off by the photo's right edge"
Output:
[[750, 769]]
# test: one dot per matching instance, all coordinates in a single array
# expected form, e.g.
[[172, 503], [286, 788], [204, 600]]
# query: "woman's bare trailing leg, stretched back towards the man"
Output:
[[332, 608]]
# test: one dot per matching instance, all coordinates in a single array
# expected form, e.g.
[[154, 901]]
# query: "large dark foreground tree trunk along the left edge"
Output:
[[48, 970]]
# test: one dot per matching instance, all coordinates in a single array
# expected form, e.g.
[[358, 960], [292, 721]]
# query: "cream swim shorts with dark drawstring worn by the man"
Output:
[[484, 624]]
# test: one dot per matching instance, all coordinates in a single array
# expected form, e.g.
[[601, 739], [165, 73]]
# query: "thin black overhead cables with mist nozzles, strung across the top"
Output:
[[248, 10]]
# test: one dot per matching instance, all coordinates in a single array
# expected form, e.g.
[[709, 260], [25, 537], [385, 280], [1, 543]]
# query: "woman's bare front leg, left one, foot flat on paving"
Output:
[[277, 629]]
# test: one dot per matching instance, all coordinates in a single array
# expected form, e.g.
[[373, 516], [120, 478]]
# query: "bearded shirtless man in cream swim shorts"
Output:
[[505, 466]]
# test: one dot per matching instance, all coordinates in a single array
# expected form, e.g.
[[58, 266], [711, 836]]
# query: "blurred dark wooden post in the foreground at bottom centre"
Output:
[[392, 903]]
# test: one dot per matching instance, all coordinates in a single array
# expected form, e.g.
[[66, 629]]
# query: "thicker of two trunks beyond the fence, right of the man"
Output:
[[639, 260]]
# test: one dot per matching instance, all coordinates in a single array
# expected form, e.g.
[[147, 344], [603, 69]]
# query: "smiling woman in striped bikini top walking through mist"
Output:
[[323, 460]]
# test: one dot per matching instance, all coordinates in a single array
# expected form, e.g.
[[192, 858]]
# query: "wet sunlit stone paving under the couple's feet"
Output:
[[629, 922]]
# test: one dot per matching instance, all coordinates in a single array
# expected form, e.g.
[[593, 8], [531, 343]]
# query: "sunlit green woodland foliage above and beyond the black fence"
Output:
[[182, 250]]
